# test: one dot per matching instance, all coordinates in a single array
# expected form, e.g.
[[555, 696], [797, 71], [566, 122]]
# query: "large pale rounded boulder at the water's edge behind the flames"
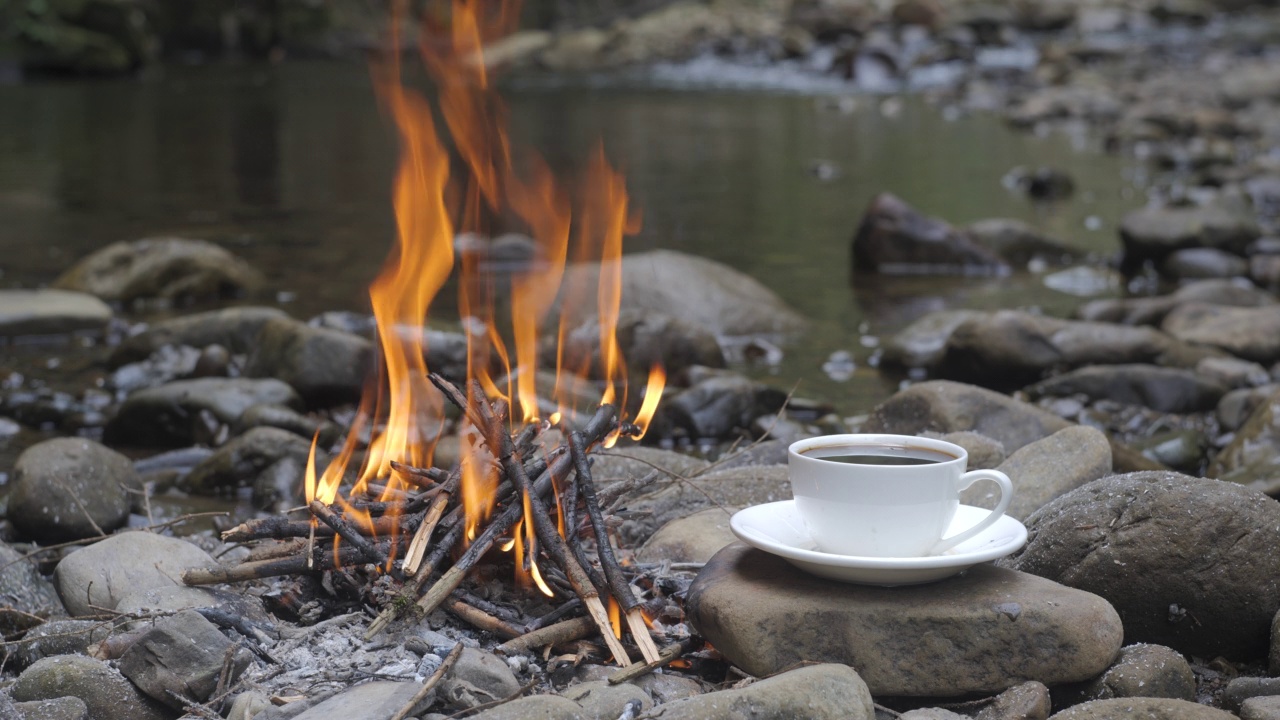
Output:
[[697, 290]]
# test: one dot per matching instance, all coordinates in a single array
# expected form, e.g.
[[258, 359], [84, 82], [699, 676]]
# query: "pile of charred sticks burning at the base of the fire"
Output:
[[424, 527]]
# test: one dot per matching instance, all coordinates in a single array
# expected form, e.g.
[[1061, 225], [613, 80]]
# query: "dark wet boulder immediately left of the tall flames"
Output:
[[326, 367]]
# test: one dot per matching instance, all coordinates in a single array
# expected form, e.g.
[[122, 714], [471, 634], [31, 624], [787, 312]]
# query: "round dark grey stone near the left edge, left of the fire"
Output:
[[70, 489]]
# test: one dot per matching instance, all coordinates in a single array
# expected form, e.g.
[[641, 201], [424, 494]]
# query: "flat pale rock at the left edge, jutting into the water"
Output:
[[51, 312]]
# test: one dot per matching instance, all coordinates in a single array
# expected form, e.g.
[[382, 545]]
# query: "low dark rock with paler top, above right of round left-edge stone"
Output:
[[171, 416]]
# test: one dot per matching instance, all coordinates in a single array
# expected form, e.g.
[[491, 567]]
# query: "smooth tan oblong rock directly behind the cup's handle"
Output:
[[1046, 470]]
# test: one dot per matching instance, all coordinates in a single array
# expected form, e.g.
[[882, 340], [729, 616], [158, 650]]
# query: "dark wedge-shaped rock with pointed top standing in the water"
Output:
[[897, 239]]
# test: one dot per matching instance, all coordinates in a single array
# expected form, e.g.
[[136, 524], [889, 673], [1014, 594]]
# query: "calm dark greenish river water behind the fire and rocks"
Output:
[[291, 168]]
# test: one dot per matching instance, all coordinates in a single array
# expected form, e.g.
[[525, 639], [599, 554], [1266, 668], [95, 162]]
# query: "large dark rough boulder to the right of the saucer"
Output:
[[1187, 562]]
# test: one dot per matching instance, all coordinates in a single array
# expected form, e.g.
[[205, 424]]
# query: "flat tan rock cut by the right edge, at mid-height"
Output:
[[1252, 334]]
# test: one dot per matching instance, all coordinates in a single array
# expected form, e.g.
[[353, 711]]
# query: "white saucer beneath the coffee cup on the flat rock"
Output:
[[778, 528]]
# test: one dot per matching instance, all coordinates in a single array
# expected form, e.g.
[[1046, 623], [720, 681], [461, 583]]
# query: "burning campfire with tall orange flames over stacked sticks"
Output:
[[523, 485]]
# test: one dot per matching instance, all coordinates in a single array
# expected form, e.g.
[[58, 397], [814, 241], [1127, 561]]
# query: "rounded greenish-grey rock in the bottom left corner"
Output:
[[103, 690]]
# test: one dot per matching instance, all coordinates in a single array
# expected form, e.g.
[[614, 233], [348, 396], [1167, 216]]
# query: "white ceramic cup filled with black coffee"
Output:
[[885, 511]]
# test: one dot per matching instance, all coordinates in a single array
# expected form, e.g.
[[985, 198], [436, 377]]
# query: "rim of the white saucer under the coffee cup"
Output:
[[1016, 541]]
